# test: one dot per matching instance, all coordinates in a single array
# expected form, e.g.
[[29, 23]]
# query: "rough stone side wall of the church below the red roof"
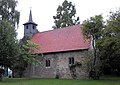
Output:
[[59, 65]]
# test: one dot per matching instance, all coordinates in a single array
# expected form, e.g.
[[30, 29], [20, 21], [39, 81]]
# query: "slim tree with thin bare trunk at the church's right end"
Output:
[[92, 28]]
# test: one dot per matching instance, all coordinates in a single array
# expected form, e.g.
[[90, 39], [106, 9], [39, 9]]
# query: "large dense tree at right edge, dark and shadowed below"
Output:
[[109, 44]]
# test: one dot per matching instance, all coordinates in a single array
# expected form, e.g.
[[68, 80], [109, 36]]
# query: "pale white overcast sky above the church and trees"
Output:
[[44, 10]]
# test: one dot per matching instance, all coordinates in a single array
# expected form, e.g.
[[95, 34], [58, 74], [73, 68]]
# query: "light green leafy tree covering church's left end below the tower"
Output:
[[25, 57]]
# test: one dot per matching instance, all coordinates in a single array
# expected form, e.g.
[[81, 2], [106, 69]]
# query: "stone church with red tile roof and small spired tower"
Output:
[[64, 52]]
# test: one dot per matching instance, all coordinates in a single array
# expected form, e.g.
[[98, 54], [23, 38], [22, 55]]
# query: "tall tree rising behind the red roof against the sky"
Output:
[[65, 15]]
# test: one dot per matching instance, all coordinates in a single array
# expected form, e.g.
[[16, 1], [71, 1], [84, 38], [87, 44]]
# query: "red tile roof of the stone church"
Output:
[[64, 39]]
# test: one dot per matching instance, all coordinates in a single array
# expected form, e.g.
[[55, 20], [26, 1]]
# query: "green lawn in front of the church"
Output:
[[104, 81]]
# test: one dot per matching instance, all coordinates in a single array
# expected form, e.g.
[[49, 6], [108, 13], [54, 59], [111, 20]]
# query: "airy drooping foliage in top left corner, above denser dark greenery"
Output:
[[8, 11]]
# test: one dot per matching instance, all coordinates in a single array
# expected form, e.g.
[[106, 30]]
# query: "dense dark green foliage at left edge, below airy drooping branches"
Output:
[[8, 44]]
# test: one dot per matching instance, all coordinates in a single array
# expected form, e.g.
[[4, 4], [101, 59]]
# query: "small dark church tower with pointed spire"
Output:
[[30, 28]]
